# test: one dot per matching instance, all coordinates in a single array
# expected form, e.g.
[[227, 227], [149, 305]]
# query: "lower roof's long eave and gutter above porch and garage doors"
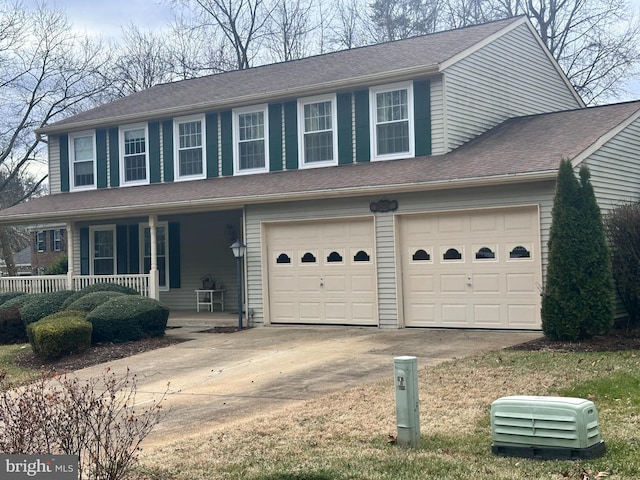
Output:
[[209, 204]]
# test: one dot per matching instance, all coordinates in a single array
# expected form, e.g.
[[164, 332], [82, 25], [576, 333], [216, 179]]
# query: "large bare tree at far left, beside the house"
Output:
[[46, 72]]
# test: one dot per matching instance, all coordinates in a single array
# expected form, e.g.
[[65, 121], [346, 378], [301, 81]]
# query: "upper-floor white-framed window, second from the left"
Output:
[[133, 160]]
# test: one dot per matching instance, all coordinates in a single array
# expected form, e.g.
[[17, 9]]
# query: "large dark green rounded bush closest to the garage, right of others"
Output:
[[128, 318]]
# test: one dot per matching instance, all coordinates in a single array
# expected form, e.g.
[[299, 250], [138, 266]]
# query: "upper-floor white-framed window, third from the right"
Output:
[[251, 149]]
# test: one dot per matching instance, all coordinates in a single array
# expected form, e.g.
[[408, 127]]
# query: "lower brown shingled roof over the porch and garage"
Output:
[[520, 149]]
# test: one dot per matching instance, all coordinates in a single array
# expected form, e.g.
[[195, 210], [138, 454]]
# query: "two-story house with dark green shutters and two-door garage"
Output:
[[406, 184]]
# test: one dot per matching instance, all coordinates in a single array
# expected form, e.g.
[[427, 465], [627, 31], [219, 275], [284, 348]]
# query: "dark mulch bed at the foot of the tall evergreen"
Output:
[[616, 341]]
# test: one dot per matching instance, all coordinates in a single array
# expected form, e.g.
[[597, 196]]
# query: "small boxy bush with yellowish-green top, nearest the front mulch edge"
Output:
[[53, 338]]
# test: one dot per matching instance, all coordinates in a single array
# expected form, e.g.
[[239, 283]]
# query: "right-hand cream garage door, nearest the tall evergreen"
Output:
[[480, 269]]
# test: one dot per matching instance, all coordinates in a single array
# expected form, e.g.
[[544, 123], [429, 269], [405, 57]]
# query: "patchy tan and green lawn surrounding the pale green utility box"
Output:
[[345, 435]]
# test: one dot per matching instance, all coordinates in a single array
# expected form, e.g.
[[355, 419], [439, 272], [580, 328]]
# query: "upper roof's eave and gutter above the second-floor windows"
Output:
[[308, 90]]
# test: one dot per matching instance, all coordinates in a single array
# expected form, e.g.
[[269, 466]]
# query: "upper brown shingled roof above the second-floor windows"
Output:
[[347, 68]]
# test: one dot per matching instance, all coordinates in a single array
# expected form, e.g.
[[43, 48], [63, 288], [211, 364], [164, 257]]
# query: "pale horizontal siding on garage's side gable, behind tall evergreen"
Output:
[[615, 168]]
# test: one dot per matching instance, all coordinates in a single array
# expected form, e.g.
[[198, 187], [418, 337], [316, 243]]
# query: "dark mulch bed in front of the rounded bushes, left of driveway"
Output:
[[100, 353]]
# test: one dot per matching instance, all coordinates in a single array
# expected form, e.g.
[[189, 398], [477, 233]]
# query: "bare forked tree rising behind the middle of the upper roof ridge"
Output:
[[241, 22]]
